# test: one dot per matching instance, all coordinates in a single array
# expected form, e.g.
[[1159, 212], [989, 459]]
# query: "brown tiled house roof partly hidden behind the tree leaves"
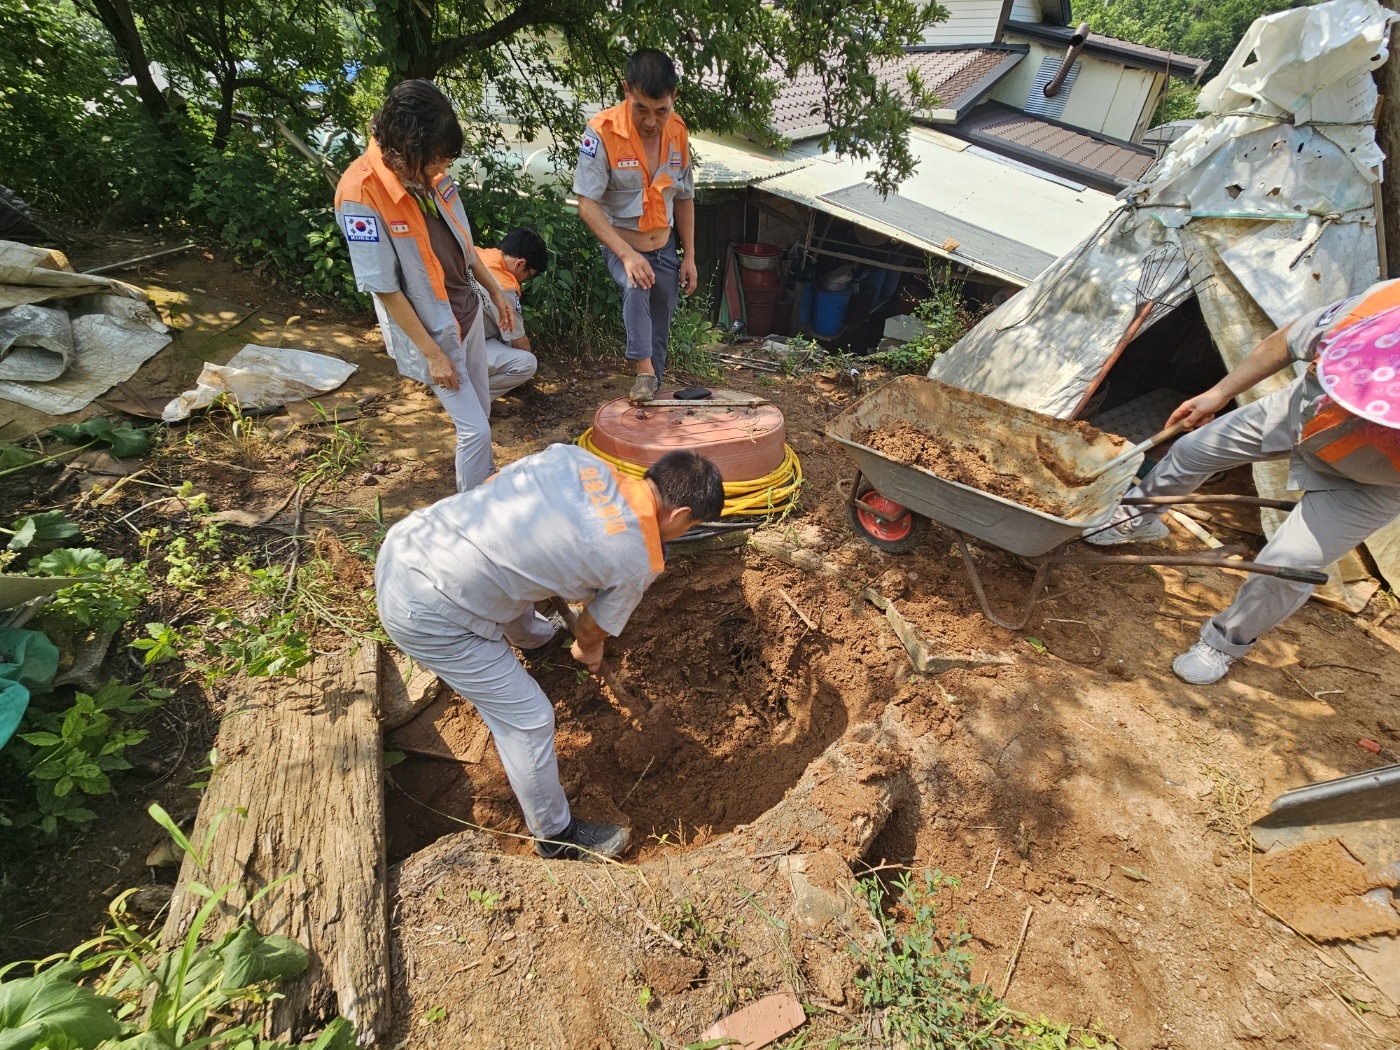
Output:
[[958, 76]]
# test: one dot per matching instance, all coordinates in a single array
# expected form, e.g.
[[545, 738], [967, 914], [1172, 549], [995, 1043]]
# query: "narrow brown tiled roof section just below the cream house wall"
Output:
[[1095, 160]]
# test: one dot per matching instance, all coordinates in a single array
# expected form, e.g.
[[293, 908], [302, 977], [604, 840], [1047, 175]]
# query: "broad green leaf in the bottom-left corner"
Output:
[[51, 1010]]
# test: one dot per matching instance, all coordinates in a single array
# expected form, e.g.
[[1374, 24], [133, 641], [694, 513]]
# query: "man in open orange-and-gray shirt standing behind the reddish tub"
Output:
[[633, 185]]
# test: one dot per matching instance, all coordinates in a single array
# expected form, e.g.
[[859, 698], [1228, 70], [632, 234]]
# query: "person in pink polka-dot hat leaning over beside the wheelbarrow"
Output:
[[1339, 426]]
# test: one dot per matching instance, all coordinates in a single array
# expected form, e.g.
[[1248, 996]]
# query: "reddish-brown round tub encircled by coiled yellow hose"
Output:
[[744, 443]]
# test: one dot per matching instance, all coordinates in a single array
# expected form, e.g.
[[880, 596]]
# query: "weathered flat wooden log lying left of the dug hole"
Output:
[[303, 758]]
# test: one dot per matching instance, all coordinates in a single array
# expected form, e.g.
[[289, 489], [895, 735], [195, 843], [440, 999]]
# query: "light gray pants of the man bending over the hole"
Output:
[[489, 675]]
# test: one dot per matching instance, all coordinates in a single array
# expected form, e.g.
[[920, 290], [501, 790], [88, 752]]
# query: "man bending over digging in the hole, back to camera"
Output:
[[458, 583]]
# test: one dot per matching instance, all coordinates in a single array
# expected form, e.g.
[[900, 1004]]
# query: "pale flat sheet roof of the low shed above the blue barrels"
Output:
[[1009, 223]]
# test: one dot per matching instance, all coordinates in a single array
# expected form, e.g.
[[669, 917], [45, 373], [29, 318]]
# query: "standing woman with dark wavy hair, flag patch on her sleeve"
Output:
[[411, 247]]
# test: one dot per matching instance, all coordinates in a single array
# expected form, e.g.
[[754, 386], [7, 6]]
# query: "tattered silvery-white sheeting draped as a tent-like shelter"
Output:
[[1272, 197]]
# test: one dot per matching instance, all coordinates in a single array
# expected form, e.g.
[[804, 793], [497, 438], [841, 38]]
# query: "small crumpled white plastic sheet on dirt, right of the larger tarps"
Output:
[[262, 376]]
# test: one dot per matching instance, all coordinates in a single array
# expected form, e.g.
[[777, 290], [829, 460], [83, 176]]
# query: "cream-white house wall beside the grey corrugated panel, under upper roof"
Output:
[[1107, 97]]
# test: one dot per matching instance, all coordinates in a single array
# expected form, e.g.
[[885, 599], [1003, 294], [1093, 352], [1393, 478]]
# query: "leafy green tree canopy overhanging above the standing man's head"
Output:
[[545, 59]]
